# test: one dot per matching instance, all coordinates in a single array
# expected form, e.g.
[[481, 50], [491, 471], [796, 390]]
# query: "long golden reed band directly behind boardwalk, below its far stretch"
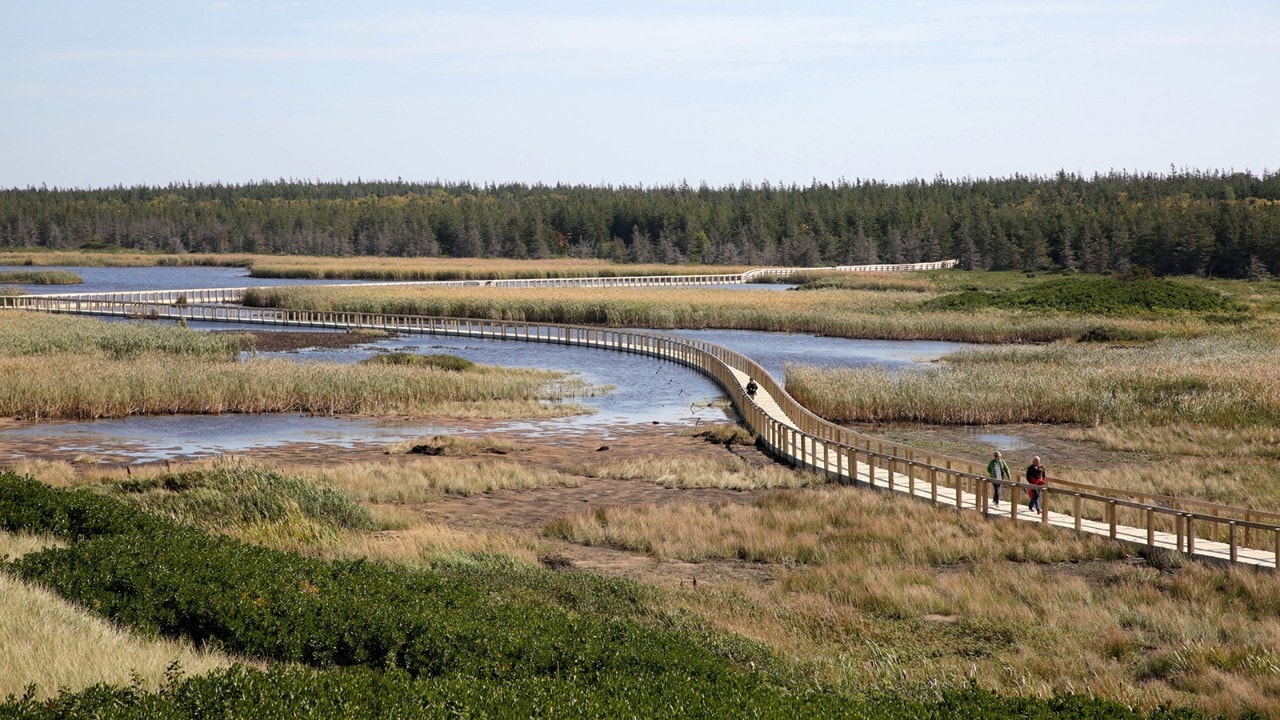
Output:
[[839, 313]]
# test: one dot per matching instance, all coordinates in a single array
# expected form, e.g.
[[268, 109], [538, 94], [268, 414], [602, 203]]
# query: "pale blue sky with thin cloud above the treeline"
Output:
[[620, 93]]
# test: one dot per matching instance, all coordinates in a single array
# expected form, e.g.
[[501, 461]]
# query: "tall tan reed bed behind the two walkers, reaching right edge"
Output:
[[1220, 381]]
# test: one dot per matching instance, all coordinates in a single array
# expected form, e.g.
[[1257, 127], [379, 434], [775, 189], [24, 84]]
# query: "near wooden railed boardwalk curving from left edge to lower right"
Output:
[[1197, 530]]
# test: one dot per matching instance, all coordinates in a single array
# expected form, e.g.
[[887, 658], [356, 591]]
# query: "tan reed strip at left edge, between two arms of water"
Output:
[[98, 386]]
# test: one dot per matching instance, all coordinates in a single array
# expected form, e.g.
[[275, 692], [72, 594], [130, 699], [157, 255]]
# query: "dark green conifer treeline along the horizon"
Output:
[[1191, 222]]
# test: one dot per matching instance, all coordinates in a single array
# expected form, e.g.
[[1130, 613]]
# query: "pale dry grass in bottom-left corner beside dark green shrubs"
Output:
[[49, 642]]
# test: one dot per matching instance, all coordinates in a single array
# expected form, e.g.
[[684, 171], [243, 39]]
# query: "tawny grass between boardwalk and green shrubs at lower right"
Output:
[[881, 591]]
